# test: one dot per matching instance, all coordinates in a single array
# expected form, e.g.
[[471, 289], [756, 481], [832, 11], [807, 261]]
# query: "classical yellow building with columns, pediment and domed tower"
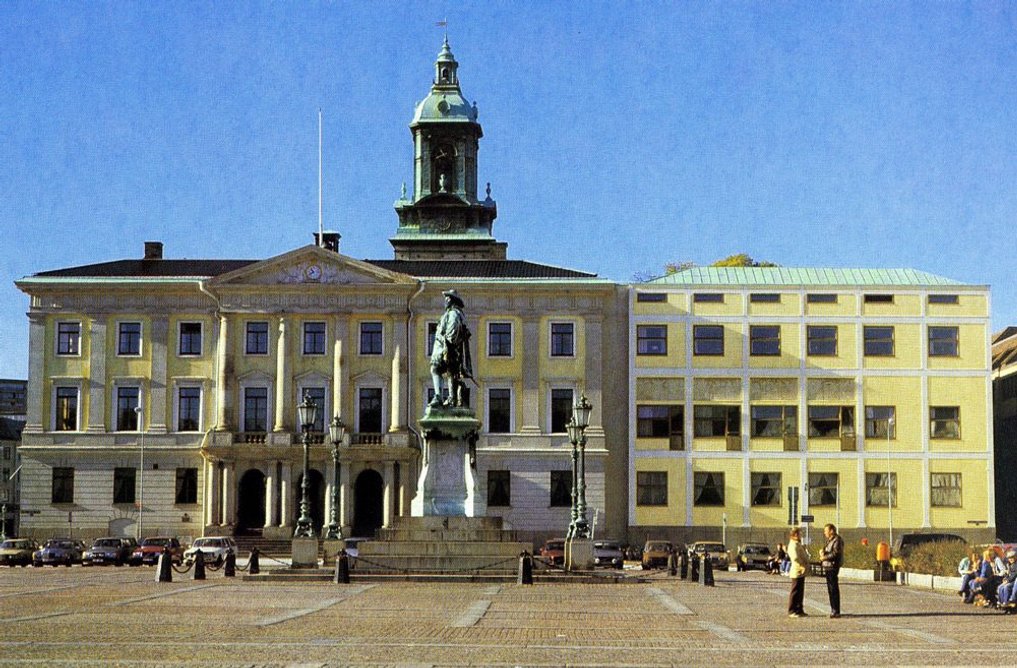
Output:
[[162, 393]]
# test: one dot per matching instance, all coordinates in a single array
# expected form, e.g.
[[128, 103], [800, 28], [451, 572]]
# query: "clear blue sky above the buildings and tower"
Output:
[[627, 135]]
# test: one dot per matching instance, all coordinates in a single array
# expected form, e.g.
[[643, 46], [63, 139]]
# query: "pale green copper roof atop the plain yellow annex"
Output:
[[785, 276]]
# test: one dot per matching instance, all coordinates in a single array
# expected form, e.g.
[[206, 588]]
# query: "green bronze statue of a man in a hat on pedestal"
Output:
[[451, 354]]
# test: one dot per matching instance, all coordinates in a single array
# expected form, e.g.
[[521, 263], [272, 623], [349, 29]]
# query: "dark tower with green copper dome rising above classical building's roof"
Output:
[[444, 218]]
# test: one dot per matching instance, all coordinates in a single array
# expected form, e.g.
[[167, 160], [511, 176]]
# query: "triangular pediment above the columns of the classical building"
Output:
[[310, 266]]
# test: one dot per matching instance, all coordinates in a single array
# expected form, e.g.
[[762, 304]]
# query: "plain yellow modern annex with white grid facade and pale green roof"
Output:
[[844, 388]]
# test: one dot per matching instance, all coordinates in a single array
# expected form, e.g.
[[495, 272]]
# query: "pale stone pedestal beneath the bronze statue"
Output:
[[446, 485]]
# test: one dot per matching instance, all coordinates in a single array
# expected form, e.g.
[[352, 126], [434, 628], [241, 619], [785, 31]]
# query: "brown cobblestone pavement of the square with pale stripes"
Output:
[[122, 617]]
